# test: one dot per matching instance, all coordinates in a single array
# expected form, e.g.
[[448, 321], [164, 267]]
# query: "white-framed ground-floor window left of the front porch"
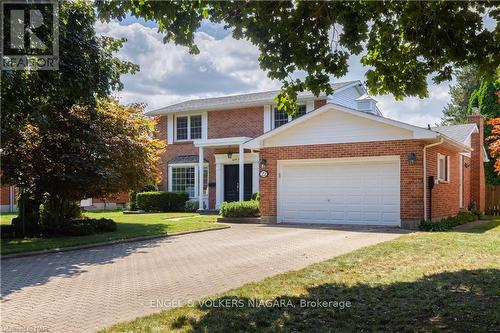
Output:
[[185, 179]]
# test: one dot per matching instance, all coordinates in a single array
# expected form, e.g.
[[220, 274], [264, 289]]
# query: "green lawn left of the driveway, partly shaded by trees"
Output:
[[129, 226]]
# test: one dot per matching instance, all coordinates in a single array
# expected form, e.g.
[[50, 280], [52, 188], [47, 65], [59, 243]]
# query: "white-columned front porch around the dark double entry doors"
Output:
[[236, 169]]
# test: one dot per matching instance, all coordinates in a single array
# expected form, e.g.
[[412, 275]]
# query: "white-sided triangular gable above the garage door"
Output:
[[337, 127]]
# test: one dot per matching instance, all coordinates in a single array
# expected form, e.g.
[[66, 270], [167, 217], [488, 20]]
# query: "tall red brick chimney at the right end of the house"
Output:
[[477, 178]]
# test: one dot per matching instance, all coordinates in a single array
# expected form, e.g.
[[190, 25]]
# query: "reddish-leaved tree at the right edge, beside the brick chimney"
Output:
[[486, 99]]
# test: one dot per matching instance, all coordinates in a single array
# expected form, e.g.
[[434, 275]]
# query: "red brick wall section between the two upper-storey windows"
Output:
[[238, 122]]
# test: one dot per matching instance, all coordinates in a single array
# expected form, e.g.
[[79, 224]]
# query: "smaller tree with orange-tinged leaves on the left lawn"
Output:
[[88, 152]]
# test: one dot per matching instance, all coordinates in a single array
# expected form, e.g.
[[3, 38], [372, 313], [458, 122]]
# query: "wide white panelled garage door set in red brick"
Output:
[[362, 191]]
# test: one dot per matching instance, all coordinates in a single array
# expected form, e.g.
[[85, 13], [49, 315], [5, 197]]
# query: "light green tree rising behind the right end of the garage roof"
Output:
[[457, 111]]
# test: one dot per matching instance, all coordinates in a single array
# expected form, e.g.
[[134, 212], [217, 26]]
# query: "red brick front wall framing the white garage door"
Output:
[[411, 175]]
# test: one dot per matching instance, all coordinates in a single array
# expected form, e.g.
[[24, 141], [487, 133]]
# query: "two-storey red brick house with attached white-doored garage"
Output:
[[338, 161]]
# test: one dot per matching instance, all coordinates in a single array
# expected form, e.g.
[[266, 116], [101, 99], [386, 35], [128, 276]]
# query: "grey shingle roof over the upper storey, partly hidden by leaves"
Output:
[[233, 100]]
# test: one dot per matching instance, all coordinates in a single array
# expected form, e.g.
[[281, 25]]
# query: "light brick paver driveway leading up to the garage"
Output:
[[84, 290]]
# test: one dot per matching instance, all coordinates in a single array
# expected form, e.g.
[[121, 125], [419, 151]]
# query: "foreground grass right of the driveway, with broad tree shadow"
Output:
[[421, 282]]
